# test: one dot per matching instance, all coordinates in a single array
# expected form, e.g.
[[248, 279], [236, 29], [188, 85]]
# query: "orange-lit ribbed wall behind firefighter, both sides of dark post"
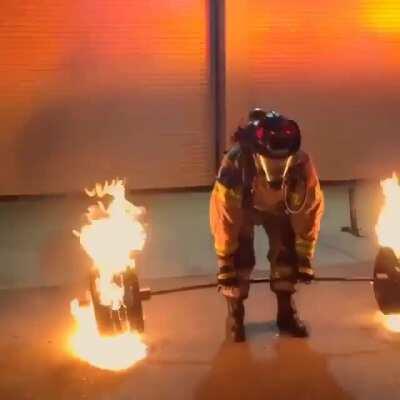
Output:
[[94, 89]]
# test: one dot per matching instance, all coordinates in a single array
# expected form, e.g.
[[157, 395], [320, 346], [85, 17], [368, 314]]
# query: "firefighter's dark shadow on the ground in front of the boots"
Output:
[[238, 373]]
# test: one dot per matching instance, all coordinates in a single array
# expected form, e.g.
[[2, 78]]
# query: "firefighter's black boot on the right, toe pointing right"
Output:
[[287, 319]]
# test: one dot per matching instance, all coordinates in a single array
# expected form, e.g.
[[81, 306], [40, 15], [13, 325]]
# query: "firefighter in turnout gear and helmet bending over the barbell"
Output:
[[265, 179]]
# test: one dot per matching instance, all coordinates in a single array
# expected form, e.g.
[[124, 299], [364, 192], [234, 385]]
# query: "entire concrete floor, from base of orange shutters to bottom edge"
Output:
[[349, 355]]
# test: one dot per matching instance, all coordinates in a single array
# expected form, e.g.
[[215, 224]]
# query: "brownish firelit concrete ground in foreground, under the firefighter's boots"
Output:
[[348, 356]]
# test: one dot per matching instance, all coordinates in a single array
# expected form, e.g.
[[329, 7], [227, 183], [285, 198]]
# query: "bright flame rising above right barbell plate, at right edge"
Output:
[[389, 218]]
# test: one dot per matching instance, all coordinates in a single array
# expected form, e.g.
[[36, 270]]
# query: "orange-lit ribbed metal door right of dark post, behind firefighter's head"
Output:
[[334, 66]]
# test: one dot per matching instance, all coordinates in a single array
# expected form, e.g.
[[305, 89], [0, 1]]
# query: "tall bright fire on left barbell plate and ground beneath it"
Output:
[[111, 237]]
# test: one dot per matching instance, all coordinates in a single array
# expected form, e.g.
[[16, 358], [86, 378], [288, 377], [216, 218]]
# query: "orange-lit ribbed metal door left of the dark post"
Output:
[[93, 89]]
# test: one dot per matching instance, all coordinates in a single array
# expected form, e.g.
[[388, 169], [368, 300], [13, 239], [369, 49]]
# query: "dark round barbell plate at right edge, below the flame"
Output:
[[387, 281]]
